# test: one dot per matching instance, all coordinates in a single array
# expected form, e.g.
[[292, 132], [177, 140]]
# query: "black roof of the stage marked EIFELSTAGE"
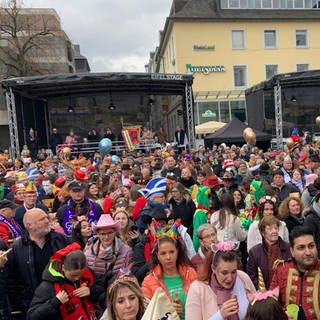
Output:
[[86, 84]]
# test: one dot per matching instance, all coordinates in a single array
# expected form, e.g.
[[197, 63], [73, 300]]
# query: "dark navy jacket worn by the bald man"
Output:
[[22, 273]]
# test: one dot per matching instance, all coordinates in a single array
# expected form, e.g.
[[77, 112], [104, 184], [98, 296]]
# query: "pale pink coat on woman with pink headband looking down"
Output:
[[202, 301]]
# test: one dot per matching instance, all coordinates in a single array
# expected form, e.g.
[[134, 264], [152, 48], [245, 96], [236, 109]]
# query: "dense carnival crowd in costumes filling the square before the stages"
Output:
[[224, 233]]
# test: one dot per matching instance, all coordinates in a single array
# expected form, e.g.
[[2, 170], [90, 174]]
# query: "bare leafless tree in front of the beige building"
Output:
[[24, 37]]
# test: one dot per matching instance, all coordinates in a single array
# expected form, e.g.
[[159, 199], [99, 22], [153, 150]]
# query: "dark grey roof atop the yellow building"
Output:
[[211, 10]]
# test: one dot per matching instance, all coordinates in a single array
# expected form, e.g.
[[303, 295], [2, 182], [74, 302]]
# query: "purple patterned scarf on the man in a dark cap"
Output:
[[71, 213]]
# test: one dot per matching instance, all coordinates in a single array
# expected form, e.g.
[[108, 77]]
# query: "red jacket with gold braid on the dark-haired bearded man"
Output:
[[295, 289]]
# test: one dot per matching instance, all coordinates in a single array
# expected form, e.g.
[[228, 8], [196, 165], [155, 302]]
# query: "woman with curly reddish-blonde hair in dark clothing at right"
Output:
[[290, 211]]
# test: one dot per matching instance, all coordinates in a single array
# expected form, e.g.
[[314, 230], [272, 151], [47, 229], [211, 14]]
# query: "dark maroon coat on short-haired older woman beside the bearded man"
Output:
[[258, 257]]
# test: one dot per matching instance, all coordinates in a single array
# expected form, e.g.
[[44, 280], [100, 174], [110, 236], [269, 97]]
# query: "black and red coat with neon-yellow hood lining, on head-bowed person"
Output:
[[45, 304]]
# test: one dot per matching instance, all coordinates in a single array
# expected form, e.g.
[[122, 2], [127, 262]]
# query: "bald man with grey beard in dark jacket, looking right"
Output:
[[30, 255]]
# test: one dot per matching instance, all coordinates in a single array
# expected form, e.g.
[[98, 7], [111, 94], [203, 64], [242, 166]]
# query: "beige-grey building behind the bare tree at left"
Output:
[[49, 51]]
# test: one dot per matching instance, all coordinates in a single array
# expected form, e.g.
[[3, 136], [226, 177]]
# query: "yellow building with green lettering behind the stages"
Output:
[[230, 45]]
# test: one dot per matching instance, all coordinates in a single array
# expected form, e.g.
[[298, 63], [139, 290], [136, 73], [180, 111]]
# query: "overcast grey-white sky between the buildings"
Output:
[[114, 35]]
